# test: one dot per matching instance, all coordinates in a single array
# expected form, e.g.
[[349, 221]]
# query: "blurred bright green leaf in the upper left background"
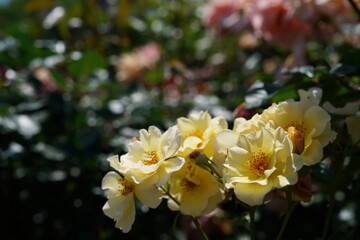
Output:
[[87, 64]]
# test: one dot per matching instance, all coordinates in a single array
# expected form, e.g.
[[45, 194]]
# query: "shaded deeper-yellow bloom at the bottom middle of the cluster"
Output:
[[196, 190]]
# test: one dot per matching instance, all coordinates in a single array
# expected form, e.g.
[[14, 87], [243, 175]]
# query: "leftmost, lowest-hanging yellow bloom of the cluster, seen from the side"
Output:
[[120, 193]]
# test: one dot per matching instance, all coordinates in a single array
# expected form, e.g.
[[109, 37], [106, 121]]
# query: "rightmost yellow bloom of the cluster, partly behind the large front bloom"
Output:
[[307, 124]]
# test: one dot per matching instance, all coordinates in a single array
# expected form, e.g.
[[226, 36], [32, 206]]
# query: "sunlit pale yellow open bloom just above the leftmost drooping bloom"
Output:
[[153, 154]]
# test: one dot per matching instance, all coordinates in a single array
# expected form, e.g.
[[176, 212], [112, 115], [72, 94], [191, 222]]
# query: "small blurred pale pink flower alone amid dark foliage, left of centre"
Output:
[[131, 65]]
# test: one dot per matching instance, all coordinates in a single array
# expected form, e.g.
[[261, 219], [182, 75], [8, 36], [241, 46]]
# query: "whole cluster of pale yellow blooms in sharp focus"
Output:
[[196, 163]]
